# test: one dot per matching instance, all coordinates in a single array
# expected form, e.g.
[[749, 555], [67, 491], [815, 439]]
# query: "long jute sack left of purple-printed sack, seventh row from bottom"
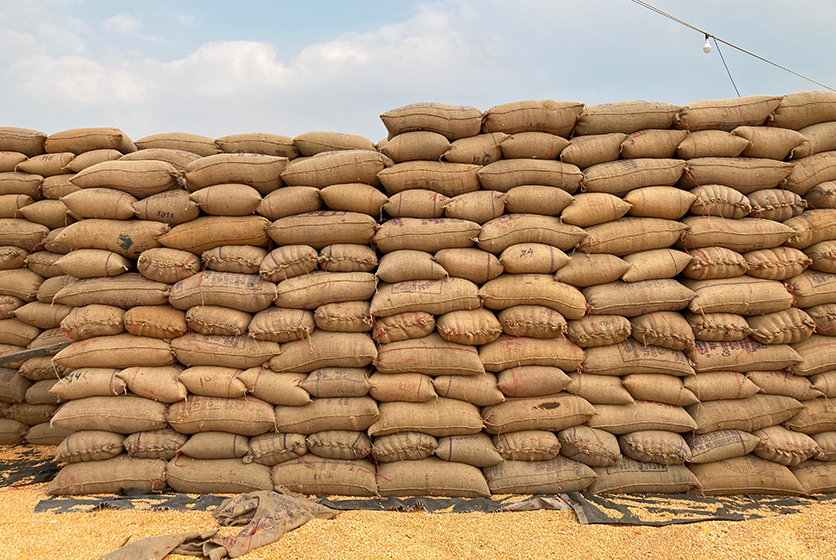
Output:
[[125, 291]]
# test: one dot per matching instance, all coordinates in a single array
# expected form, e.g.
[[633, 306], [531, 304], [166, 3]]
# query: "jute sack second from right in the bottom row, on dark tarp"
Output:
[[746, 475]]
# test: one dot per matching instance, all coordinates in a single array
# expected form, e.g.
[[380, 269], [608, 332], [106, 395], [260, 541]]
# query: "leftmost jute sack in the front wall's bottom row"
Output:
[[114, 475]]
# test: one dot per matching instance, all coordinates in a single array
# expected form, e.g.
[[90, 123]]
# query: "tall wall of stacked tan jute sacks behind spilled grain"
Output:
[[547, 297]]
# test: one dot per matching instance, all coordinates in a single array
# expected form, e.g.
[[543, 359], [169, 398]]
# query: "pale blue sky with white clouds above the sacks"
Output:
[[218, 68]]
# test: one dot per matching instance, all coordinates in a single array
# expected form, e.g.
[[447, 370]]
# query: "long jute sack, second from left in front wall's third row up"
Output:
[[246, 416]]
